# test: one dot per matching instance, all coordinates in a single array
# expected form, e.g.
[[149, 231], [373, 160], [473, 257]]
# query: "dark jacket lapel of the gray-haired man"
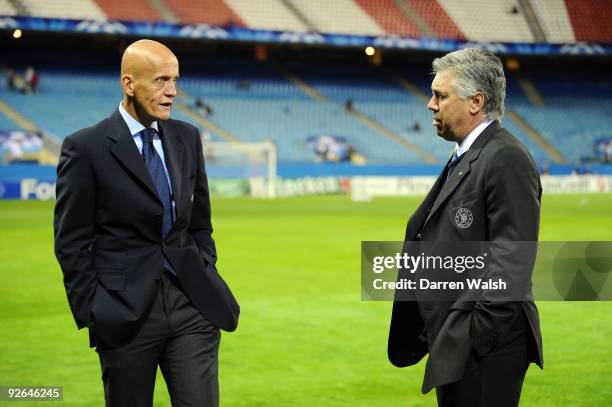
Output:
[[463, 168]]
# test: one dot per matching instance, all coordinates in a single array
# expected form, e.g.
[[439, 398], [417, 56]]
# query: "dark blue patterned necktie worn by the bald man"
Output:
[[158, 175]]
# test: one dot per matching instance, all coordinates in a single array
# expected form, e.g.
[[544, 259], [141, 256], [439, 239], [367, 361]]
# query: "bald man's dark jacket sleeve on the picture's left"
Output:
[[74, 226]]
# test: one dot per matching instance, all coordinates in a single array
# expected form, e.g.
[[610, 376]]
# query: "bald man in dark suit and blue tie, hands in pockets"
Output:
[[133, 236]]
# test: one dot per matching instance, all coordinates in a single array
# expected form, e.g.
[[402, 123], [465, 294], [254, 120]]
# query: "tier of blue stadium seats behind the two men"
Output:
[[272, 107]]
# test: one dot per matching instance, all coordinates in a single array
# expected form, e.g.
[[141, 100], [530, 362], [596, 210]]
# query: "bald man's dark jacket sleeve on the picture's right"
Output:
[[200, 227]]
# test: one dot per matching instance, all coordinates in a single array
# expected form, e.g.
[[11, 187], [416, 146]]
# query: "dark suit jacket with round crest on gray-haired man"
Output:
[[498, 182]]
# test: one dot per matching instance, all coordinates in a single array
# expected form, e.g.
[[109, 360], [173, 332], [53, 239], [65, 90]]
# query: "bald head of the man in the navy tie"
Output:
[[149, 71]]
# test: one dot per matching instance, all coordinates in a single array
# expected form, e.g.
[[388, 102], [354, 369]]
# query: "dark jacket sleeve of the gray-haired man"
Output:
[[512, 192]]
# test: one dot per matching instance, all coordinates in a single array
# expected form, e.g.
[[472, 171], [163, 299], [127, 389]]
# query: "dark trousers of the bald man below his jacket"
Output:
[[176, 338]]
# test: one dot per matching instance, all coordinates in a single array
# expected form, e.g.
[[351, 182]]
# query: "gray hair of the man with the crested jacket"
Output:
[[477, 70]]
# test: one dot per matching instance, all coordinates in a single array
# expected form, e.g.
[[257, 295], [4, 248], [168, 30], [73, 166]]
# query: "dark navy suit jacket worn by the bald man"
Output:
[[108, 220]]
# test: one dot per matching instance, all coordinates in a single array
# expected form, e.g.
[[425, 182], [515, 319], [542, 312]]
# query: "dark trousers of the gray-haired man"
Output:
[[496, 379]]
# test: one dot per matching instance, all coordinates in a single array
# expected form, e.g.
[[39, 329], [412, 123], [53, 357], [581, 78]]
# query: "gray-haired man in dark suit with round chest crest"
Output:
[[489, 191]]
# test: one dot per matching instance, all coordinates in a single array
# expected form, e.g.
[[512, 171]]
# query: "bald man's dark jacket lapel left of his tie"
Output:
[[126, 152]]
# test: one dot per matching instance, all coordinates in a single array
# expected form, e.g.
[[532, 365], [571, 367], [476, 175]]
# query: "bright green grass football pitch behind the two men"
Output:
[[305, 338]]
